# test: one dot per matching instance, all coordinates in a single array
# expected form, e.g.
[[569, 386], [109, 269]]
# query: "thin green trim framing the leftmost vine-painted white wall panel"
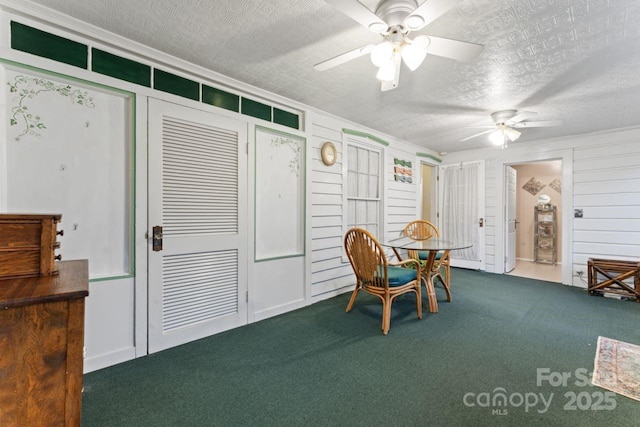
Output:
[[132, 166]]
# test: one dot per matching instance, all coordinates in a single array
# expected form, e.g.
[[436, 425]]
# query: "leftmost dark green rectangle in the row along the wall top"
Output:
[[47, 45]]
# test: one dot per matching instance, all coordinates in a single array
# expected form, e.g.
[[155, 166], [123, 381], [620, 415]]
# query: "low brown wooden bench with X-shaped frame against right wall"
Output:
[[609, 275]]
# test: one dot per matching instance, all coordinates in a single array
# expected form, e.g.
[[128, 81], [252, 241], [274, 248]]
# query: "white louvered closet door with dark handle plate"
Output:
[[197, 194]]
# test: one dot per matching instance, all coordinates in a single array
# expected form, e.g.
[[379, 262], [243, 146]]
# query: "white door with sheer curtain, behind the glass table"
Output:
[[461, 213]]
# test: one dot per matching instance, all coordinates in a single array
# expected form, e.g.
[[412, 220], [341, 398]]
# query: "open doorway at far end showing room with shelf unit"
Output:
[[532, 251]]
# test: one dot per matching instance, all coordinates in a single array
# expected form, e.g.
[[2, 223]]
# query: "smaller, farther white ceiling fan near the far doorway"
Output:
[[505, 124]]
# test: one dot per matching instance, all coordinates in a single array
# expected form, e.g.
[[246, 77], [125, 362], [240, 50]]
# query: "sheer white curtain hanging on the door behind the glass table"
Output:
[[459, 213]]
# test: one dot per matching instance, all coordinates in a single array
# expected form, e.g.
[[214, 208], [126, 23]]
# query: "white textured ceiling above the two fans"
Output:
[[572, 60]]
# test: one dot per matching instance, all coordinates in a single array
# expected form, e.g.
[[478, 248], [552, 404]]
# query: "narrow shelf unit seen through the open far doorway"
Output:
[[545, 232]]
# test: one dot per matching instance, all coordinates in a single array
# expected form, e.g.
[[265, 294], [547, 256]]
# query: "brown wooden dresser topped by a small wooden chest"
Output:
[[41, 347]]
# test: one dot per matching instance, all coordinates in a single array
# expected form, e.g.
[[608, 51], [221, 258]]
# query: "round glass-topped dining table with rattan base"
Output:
[[432, 246]]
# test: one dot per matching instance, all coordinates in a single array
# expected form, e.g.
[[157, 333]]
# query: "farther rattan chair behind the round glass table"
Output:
[[423, 230]]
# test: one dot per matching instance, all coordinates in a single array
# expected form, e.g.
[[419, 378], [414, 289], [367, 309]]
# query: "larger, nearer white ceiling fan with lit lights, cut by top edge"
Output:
[[394, 20]]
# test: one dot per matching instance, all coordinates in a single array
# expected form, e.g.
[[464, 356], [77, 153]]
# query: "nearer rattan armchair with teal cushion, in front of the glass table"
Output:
[[378, 277]]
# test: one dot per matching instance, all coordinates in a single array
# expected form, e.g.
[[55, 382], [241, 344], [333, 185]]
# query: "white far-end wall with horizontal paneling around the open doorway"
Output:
[[604, 182]]
